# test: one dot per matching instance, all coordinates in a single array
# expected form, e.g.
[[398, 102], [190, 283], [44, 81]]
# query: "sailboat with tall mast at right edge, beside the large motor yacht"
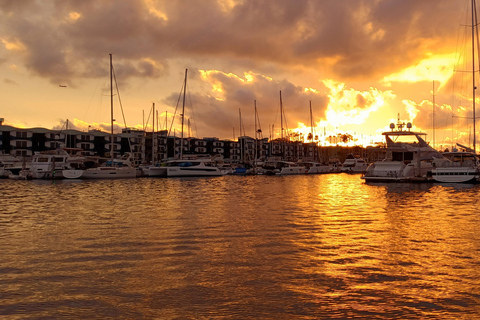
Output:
[[462, 166]]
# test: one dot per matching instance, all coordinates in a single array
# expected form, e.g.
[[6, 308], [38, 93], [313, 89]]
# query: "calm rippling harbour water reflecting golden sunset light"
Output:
[[299, 247]]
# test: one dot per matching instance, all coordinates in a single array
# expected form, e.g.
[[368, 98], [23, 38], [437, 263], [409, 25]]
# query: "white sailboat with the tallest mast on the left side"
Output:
[[112, 169]]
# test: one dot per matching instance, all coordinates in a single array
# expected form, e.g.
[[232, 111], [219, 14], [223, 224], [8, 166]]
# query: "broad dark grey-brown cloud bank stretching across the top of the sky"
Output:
[[364, 37]]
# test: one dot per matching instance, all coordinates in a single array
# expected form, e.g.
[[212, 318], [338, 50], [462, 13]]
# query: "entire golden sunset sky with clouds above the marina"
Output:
[[361, 63]]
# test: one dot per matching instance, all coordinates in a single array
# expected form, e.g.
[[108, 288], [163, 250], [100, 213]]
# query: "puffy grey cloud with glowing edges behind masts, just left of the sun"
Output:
[[230, 95]]
